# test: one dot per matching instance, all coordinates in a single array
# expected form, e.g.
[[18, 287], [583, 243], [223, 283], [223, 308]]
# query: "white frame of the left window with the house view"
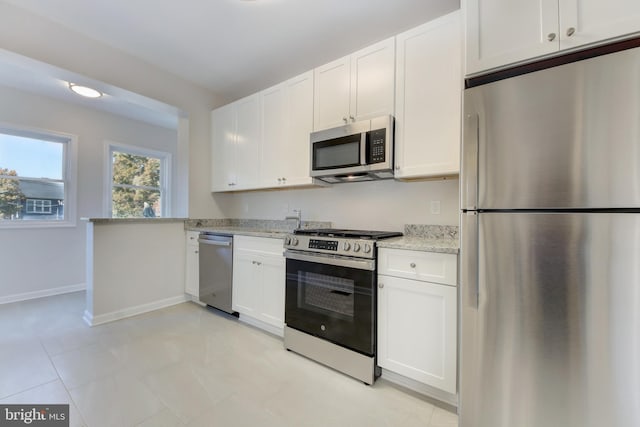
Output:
[[69, 175]]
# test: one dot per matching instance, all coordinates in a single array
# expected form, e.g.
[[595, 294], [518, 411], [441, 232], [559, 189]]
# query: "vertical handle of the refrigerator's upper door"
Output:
[[470, 148]]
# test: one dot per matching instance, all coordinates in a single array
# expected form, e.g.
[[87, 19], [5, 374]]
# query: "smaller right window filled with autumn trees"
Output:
[[138, 182]]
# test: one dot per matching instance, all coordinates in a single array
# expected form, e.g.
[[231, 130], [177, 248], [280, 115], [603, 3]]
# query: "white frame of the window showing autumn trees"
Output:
[[165, 175]]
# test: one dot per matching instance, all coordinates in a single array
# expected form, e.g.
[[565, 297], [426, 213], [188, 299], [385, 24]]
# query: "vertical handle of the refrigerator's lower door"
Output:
[[469, 260]]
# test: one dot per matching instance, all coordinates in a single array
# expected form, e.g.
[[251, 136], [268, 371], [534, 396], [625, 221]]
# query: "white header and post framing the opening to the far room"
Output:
[[32, 36]]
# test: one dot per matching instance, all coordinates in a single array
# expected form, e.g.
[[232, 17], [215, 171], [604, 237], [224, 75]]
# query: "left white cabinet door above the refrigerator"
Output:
[[501, 32]]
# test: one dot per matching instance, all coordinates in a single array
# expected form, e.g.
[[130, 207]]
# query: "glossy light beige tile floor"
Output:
[[183, 365]]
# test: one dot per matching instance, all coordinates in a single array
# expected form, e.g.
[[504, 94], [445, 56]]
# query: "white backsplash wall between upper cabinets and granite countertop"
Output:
[[384, 205]]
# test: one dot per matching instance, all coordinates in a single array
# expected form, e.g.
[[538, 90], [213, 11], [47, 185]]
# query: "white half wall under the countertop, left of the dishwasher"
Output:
[[135, 268]]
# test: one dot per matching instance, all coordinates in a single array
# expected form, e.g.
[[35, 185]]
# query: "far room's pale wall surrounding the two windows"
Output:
[[36, 261]]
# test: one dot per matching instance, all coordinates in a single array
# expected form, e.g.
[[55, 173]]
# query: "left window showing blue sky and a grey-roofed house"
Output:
[[35, 178]]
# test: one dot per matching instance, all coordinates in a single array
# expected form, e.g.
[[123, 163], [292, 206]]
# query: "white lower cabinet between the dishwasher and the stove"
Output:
[[259, 281]]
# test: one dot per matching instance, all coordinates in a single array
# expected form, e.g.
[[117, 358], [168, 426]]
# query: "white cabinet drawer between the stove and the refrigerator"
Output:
[[425, 266]]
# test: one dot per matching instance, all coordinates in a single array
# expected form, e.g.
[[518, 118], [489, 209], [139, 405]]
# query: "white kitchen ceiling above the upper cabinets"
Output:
[[237, 47]]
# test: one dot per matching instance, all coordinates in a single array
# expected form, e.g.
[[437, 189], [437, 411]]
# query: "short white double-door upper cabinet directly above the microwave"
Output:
[[356, 87]]
